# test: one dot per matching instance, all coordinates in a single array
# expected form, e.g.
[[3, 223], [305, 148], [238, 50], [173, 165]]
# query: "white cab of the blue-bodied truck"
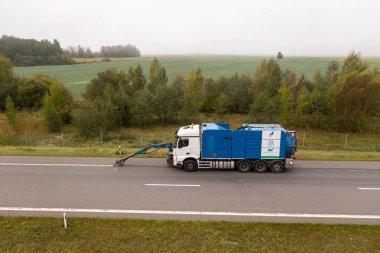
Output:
[[187, 145]]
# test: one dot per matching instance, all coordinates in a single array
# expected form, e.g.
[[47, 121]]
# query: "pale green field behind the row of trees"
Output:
[[77, 76]]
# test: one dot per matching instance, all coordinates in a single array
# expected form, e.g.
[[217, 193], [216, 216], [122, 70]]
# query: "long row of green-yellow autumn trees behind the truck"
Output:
[[346, 97]]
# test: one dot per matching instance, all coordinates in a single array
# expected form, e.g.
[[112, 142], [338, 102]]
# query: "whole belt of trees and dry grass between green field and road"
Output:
[[335, 110]]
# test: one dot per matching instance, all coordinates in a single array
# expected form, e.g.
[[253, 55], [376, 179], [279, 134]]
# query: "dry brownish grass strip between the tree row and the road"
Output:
[[34, 138]]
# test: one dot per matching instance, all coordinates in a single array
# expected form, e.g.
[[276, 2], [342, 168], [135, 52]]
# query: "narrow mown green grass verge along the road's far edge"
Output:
[[97, 151]]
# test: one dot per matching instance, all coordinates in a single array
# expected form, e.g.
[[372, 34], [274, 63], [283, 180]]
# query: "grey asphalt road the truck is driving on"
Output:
[[314, 191]]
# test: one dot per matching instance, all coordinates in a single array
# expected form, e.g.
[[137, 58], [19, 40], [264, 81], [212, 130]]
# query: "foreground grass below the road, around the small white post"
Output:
[[21, 234]]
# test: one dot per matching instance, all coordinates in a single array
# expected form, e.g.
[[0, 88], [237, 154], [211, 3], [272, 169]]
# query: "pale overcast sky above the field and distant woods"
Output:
[[235, 27]]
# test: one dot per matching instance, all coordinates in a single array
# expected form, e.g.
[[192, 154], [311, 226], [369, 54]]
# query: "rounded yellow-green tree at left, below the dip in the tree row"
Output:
[[57, 107]]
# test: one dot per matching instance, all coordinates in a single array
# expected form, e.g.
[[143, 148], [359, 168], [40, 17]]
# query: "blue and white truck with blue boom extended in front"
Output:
[[257, 147]]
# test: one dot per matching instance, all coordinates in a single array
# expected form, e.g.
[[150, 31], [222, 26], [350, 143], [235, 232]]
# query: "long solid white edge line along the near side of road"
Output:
[[206, 213]]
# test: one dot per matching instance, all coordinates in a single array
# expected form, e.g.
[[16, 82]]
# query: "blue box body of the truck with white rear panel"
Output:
[[251, 141]]
